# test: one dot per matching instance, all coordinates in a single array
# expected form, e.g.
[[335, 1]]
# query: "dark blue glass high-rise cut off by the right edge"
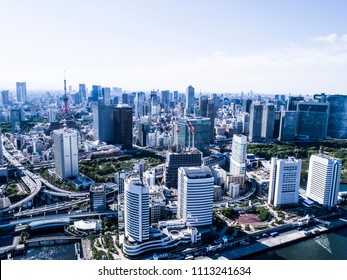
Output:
[[337, 124]]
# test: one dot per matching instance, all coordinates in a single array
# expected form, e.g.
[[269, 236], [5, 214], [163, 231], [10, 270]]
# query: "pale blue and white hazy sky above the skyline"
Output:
[[265, 46]]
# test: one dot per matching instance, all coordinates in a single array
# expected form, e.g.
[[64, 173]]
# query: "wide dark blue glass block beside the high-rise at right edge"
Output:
[[313, 119]]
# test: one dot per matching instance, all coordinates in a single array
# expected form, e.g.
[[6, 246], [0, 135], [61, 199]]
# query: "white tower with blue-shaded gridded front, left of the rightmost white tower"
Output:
[[284, 182]]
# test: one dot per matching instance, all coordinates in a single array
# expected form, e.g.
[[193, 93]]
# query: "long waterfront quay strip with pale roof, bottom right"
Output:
[[283, 240]]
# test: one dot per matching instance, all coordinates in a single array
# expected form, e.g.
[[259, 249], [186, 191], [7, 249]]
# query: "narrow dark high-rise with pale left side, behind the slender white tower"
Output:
[[255, 123]]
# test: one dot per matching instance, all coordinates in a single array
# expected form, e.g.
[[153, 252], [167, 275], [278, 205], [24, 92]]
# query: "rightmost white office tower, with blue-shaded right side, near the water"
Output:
[[324, 179]]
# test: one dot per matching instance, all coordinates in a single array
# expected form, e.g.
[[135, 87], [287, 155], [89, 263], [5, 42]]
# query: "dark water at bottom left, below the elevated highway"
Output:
[[58, 252]]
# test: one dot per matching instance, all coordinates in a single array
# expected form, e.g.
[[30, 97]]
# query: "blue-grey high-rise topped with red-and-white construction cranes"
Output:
[[193, 132]]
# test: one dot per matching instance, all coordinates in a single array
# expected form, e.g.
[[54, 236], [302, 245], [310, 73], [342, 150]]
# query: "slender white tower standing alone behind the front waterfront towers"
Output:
[[238, 155]]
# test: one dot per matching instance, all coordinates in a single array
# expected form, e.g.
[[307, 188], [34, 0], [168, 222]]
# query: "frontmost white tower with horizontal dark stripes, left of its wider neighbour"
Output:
[[136, 209]]
